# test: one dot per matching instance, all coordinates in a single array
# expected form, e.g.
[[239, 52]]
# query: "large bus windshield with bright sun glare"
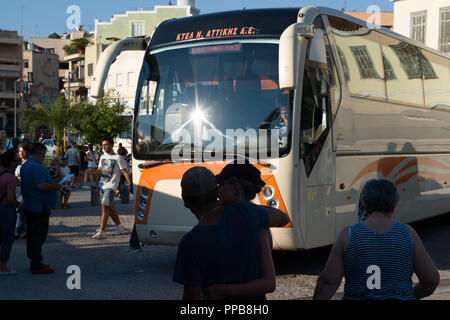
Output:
[[222, 97]]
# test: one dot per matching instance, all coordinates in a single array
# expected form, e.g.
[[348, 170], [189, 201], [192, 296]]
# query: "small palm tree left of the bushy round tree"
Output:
[[56, 115]]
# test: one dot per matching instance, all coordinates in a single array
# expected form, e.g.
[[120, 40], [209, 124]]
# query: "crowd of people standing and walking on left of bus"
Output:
[[29, 191]]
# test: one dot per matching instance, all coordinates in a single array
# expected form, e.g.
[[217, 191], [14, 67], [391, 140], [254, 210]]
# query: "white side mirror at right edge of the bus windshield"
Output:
[[287, 59]]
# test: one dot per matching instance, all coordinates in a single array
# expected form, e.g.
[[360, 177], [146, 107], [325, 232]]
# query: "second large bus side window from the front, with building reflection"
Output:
[[404, 75]]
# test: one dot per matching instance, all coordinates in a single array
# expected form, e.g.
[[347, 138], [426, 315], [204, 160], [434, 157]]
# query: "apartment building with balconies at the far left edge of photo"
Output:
[[11, 55]]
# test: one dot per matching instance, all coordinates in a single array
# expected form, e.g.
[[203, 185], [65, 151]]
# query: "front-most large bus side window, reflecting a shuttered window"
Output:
[[361, 58]]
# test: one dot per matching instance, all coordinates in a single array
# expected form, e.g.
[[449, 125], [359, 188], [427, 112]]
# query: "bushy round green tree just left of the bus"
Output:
[[95, 121]]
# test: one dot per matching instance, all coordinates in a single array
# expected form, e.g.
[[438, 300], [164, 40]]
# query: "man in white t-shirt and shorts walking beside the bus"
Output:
[[111, 166]]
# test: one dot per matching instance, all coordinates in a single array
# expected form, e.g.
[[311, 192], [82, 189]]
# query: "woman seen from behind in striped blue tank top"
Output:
[[378, 256]]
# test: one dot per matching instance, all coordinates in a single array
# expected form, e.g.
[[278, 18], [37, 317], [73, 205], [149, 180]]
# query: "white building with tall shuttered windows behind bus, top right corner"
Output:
[[427, 22]]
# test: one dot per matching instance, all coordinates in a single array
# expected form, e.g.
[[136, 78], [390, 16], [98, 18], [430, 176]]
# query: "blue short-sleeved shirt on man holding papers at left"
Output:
[[33, 173]]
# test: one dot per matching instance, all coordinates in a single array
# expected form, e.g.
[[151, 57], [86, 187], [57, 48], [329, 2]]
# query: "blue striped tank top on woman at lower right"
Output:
[[379, 265]]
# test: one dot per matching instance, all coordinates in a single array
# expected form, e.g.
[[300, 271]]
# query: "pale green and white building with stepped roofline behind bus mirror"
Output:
[[124, 72]]
